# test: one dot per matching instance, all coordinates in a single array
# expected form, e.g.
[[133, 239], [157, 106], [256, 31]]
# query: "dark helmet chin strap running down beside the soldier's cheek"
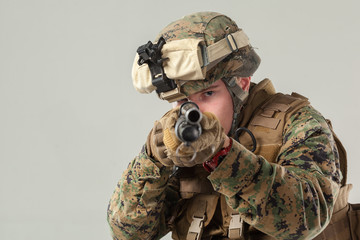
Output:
[[239, 97]]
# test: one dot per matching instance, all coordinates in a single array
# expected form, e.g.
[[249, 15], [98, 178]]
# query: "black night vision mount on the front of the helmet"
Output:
[[151, 54]]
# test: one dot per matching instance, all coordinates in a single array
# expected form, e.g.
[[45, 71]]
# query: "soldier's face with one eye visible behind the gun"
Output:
[[217, 100]]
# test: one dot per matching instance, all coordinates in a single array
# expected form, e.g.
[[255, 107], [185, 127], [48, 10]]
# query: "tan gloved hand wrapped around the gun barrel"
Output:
[[163, 143]]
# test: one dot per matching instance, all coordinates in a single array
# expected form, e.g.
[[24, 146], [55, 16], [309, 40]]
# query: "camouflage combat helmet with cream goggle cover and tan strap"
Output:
[[224, 52]]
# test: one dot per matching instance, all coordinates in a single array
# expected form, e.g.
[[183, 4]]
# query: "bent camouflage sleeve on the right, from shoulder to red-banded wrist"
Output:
[[290, 199]]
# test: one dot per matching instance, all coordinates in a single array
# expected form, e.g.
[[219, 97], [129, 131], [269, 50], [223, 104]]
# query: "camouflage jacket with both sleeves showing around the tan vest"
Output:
[[292, 198]]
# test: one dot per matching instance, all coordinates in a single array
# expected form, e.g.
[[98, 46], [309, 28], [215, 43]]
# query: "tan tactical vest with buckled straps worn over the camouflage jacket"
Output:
[[203, 213]]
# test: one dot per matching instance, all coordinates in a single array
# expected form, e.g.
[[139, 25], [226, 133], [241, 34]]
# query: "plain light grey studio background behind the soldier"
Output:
[[71, 120]]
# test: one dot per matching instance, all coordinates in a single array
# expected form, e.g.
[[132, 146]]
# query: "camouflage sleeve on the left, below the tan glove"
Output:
[[140, 202]]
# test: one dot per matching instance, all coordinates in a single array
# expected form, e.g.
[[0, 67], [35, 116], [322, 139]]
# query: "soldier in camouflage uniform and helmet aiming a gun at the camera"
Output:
[[265, 166]]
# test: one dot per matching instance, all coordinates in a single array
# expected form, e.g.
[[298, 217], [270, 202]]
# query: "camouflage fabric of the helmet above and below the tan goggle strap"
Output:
[[212, 27]]
